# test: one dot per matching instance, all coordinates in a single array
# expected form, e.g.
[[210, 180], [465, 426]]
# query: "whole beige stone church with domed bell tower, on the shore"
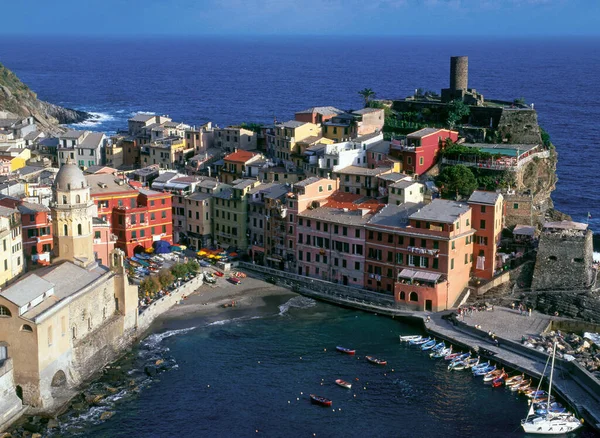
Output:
[[61, 323]]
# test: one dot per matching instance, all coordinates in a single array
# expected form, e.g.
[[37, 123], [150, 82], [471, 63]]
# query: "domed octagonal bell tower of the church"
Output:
[[72, 210]]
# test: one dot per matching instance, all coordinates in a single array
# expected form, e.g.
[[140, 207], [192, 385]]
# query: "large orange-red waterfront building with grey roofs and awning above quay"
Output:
[[420, 254]]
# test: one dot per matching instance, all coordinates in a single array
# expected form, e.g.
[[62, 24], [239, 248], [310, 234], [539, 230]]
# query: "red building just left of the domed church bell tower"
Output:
[[36, 231]]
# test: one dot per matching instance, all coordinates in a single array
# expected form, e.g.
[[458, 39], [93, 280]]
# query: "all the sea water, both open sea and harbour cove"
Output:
[[250, 373]]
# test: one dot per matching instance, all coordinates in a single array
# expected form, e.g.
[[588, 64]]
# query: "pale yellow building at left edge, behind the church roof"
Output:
[[11, 245]]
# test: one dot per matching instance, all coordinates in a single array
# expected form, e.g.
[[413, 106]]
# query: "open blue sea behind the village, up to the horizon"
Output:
[[259, 79]]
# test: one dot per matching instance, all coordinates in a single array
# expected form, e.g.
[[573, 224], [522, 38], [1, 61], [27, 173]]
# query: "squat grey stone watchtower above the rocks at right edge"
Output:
[[564, 259]]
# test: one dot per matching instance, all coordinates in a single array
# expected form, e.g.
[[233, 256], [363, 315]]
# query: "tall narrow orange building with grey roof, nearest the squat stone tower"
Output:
[[488, 220]]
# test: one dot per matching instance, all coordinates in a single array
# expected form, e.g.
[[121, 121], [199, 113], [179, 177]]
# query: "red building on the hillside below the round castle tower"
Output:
[[418, 152]]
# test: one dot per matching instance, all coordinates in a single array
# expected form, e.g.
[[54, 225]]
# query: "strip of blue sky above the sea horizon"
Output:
[[113, 18]]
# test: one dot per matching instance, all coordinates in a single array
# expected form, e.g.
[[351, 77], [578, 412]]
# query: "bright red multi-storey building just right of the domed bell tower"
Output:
[[137, 217]]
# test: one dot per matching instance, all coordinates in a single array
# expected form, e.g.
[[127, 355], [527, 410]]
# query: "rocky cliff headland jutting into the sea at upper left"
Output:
[[17, 98]]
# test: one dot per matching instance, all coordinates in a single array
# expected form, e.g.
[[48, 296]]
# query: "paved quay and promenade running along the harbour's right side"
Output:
[[571, 382]]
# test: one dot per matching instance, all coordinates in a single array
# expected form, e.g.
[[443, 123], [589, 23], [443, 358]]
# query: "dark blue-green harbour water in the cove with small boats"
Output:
[[254, 372]]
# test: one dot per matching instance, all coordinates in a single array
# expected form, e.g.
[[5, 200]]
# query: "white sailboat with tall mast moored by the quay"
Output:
[[549, 423]]
